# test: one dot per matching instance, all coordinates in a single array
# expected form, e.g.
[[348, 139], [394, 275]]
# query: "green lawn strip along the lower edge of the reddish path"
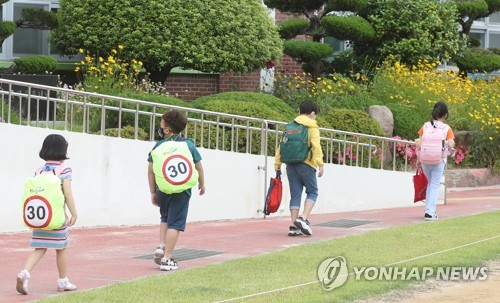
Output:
[[298, 265]]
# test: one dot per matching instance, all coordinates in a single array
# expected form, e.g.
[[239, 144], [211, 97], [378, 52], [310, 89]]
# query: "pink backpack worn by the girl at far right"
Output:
[[433, 146]]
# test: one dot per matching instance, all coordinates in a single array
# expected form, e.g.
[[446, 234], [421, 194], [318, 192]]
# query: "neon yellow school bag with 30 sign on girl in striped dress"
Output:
[[43, 201]]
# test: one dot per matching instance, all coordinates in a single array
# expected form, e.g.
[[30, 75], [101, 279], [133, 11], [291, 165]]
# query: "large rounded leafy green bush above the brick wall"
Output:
[[210, 36]]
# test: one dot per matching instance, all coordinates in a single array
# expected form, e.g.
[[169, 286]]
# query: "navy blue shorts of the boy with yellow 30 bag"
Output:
[[174, 209]]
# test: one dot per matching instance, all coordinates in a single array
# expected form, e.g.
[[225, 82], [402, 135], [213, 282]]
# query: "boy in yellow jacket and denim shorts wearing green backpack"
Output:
[[300, 150]]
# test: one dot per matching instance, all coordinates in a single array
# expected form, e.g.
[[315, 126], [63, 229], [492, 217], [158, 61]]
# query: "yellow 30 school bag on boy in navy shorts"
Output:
[[173, 167]]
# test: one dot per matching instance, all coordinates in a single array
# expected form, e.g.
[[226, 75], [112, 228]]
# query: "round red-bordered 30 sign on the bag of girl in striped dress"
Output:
[[37, 212]]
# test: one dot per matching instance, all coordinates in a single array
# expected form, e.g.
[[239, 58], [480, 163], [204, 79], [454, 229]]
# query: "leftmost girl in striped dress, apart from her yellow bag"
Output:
[[54, 150]]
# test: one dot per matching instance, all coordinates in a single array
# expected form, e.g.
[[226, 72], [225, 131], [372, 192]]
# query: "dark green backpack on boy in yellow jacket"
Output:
[[294, 145]]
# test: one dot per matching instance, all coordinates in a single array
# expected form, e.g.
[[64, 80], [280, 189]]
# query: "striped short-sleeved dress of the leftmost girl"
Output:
[[57, 238]]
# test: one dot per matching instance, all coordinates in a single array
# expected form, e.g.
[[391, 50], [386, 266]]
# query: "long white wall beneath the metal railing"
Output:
[[110, 182]]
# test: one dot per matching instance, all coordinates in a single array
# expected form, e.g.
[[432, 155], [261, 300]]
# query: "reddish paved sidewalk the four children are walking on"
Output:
[[102, 256]]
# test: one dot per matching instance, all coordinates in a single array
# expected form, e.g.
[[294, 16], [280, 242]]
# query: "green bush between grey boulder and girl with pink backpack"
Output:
[[407, 121]]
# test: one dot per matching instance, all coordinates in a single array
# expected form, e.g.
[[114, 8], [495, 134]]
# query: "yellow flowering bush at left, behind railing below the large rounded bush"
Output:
[[107, 75]]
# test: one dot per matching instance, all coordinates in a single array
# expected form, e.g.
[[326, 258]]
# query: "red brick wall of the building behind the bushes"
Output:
[[191, 86]]
